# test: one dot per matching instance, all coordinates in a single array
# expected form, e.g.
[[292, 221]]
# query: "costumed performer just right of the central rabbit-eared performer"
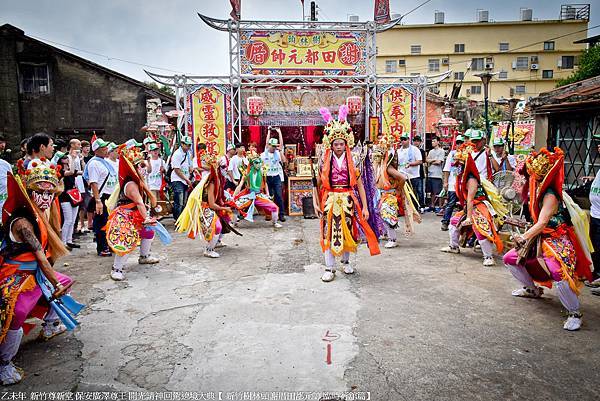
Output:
[[396, 197]]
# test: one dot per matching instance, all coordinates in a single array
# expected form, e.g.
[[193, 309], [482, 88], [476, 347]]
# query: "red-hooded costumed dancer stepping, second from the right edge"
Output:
[[483, 208]]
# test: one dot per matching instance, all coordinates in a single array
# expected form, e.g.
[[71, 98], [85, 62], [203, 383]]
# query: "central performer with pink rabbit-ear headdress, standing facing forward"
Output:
[[340, 210]]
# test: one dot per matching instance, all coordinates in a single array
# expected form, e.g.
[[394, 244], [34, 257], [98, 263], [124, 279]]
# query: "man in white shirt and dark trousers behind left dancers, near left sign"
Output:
[[181, 163]]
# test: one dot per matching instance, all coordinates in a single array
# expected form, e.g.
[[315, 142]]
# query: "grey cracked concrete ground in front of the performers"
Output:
[[411, 324]]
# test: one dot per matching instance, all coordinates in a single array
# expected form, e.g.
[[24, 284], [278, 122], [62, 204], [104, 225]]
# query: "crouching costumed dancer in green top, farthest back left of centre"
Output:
[[256, 194]]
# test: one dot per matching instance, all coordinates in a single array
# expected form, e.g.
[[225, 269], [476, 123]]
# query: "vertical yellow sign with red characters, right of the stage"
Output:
[[397, 111]]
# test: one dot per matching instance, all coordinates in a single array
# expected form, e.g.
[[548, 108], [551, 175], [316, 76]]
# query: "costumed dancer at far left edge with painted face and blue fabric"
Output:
[[27, 278]]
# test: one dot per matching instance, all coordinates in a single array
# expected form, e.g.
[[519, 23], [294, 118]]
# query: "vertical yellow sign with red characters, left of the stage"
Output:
[[209, 119]]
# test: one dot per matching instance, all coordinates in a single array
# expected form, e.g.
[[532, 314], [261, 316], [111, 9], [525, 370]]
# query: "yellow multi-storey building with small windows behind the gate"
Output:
[[529, 56]]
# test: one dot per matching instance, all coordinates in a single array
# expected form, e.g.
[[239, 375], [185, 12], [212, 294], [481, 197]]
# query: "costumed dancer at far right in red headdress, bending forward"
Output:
[[556, 249]]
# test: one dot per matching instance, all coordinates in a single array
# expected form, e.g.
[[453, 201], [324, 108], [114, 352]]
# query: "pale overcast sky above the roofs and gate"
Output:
[[169, 34]]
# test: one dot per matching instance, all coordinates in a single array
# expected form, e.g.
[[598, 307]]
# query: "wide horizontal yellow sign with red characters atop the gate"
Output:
[[266, 52]]
